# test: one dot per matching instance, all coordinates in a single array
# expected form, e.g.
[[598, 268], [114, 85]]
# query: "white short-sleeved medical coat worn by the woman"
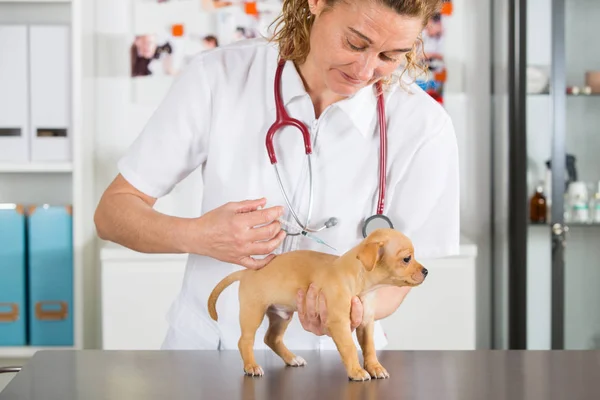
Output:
[[216, 116]]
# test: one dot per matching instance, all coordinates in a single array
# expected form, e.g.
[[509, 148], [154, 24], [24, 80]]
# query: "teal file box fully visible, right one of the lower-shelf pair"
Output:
[[50, 273]]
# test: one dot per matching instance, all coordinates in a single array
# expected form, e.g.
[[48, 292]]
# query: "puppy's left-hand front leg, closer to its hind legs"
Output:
[[339, 329]]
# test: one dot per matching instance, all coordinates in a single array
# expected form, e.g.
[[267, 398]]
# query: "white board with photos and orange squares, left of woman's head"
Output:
[[167, 34]]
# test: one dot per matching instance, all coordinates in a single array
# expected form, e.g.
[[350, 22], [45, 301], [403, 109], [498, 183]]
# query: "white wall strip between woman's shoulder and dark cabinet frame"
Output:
[[468, 103]]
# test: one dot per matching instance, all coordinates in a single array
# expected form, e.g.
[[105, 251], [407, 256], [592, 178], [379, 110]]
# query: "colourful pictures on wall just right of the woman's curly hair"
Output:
[[433, 54]]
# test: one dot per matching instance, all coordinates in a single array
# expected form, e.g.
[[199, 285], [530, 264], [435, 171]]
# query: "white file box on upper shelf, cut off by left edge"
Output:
[[14, 146]]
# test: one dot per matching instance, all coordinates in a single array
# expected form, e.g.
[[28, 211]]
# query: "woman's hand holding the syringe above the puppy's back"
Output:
[[231, 233]]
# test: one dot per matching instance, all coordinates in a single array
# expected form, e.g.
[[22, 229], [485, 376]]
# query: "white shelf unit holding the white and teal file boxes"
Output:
[[70, 182]]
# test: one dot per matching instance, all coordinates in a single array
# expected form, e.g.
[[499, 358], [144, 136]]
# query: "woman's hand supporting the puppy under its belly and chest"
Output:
[[312, 311]]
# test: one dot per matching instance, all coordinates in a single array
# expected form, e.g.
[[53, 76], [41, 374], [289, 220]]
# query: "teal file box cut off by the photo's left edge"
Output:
[[13, 306]]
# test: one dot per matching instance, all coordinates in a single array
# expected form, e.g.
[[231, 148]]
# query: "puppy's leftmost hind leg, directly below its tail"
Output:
[[251, 317]]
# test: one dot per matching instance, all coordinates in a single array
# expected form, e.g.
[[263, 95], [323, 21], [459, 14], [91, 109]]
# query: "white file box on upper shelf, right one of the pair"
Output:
[[50, 71]]
